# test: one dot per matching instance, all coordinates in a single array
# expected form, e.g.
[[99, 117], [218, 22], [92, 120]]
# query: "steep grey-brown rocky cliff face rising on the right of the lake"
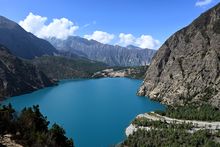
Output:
[[187, 66]]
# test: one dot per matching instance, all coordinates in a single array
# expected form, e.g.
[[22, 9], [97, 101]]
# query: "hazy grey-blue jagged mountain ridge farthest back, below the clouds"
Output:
[[109, 54]]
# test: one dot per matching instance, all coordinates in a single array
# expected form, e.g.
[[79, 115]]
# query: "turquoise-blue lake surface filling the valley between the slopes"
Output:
[[95, 112]]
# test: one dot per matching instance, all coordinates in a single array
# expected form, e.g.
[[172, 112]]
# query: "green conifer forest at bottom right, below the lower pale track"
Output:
[[170, 138]]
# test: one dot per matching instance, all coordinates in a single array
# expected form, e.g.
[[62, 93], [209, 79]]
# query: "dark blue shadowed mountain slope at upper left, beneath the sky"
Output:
[[22, 43]]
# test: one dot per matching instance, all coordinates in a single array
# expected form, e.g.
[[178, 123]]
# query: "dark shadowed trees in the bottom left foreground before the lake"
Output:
[[30, 128]]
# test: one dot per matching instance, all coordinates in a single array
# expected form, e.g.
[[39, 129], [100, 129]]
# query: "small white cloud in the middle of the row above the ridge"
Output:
[[100, 36]]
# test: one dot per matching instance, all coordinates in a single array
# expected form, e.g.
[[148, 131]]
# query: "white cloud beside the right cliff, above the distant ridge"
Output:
[[144, 41]]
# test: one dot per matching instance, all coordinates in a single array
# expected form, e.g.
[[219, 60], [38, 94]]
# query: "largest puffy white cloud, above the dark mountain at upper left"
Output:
[[59, 28]]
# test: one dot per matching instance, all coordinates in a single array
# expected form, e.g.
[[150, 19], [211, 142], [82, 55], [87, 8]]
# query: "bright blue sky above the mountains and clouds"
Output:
[[155, 18]]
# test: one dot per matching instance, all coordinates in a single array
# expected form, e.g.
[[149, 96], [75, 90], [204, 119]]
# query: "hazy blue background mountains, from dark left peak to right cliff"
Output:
[[26, 45]]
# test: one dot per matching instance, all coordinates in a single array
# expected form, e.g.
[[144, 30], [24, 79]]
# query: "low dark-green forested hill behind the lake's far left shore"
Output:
[[58, 67]]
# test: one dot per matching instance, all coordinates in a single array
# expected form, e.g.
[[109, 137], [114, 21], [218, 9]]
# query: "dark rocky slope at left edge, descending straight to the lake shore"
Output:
[[18, 77]]
